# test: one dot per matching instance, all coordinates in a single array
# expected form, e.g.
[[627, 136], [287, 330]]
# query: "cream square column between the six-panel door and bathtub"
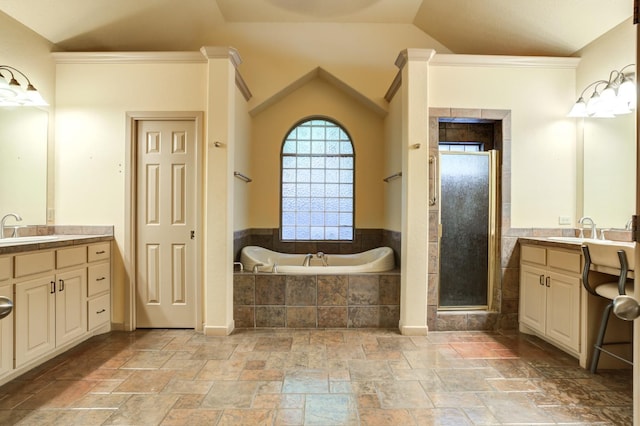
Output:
[[217, 238]]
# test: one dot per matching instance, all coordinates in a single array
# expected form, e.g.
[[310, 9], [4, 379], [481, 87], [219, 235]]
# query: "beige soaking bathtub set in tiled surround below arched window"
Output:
[[259, 259]]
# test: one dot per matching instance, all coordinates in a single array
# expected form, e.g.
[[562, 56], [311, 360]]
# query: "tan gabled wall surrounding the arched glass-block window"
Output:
[[317, 97]]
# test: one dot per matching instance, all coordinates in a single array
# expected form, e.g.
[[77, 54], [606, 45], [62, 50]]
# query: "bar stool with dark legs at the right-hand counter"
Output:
[[601, 258]]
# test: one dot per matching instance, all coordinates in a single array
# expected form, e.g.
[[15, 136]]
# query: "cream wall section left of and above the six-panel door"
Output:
[[90, 150]]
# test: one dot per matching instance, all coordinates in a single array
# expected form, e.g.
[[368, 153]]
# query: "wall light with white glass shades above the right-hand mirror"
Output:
[[611, 97]]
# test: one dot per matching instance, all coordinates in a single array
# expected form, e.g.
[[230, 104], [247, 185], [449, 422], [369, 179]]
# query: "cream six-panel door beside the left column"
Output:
[[165, 222]]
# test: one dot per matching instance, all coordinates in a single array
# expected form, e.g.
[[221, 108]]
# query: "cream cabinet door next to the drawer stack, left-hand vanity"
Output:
[[71, 307]]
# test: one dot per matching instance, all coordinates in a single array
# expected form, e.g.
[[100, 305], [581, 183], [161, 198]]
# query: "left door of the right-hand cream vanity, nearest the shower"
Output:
[[533, 297]]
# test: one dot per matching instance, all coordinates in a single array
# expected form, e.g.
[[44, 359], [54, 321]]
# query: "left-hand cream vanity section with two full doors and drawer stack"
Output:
[[61, 297]]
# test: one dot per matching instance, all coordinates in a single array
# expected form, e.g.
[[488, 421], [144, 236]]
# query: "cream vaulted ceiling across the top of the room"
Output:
[[504, 27]]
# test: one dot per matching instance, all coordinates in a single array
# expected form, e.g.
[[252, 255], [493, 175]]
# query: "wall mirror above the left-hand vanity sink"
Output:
[[23, 164]]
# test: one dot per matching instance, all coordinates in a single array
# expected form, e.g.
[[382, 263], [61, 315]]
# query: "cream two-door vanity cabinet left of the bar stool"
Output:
[[550, 292]]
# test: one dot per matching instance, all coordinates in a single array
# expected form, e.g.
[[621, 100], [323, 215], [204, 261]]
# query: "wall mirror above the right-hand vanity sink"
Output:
[[610, 170]]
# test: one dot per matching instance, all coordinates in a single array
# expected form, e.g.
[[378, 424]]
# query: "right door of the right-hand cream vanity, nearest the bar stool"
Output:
[[563, 310]]
